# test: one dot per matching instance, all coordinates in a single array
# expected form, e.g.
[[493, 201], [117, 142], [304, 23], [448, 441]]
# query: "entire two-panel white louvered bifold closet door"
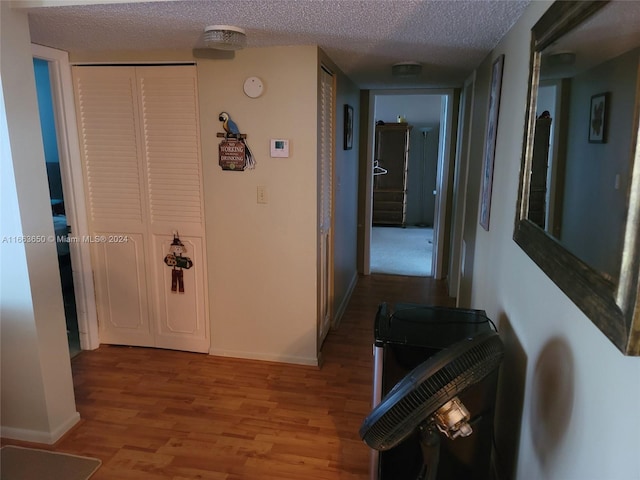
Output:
[[139, 132]]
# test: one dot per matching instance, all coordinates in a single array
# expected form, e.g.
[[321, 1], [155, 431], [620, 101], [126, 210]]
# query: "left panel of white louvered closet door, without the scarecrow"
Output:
[[107, 112]]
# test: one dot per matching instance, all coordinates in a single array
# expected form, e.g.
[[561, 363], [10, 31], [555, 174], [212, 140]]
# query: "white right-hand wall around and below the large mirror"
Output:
[[579, 394]]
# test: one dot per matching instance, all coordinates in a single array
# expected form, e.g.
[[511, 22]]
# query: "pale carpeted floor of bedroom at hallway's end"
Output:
[[402, 251]]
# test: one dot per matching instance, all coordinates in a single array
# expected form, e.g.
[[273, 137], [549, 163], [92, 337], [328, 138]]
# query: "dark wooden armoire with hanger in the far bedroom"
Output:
[[390, 174]]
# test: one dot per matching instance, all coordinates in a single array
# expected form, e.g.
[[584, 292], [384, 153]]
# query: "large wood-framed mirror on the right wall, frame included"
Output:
[[578, 211]]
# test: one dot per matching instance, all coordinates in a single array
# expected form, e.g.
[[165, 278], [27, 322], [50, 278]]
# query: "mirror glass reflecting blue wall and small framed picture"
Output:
[[584, 129]]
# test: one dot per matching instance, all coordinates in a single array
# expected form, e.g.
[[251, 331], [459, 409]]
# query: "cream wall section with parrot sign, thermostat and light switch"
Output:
[[262, 257]]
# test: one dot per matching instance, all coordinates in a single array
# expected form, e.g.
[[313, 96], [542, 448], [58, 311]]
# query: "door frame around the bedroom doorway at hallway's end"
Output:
[[442, 183]]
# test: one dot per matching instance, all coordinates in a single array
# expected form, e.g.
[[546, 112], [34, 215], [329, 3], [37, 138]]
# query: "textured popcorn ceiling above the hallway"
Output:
[[363, 37]]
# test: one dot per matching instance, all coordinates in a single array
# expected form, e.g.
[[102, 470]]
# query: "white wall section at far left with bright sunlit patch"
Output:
[[37, 390]]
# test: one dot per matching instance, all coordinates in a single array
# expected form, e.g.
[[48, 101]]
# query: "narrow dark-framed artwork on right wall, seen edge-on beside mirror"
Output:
[[490, 141]]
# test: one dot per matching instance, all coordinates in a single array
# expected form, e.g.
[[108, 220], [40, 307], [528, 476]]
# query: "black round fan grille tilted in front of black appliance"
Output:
[[429, 386]]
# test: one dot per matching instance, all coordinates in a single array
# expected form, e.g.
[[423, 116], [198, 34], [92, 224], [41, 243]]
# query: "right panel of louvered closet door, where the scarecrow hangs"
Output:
[[169, 108]]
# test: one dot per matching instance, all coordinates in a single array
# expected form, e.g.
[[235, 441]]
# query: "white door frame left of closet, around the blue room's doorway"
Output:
[[73, 188]]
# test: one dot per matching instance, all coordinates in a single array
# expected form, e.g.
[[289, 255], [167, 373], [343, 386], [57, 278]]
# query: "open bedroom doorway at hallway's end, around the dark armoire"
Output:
[[429, 114]]
